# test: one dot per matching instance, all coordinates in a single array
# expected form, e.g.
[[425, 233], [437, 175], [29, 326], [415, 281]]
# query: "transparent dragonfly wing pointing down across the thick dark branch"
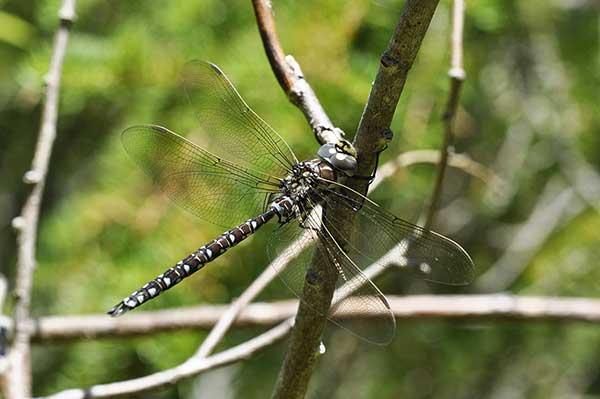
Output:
[[302, 242]]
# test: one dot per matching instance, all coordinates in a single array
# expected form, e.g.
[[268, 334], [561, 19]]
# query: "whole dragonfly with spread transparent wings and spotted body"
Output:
[[250, 175]]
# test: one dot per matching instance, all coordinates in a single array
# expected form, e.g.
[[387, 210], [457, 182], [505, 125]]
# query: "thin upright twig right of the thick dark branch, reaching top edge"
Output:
[[457, 76]]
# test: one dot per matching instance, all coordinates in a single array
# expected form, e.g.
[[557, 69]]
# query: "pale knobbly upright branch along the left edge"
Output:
[[18, 374]]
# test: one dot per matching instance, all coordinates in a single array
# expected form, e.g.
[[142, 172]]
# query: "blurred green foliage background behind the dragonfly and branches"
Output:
[[529, 112]]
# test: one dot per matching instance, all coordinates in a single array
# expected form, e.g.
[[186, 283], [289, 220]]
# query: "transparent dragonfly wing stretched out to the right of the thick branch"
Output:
[[379, 238]]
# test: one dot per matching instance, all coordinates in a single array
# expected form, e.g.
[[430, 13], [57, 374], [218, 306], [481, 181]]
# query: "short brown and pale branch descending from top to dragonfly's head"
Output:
[[291, 79]]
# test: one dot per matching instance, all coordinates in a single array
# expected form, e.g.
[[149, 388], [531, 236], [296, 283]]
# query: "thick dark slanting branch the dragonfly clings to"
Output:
[[371, 137]]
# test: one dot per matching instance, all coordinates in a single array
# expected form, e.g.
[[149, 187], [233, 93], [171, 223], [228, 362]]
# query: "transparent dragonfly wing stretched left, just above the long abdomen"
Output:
[[205, 185]]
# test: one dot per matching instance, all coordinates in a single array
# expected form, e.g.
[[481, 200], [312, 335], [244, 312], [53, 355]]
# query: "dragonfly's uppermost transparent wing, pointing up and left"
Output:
[[236, 132]]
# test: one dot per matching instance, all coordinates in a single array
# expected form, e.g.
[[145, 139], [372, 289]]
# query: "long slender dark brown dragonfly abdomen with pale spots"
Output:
[[205, 254]]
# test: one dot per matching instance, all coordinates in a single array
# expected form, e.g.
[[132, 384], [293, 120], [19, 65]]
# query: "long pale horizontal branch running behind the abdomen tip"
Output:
[[60, 328]]
